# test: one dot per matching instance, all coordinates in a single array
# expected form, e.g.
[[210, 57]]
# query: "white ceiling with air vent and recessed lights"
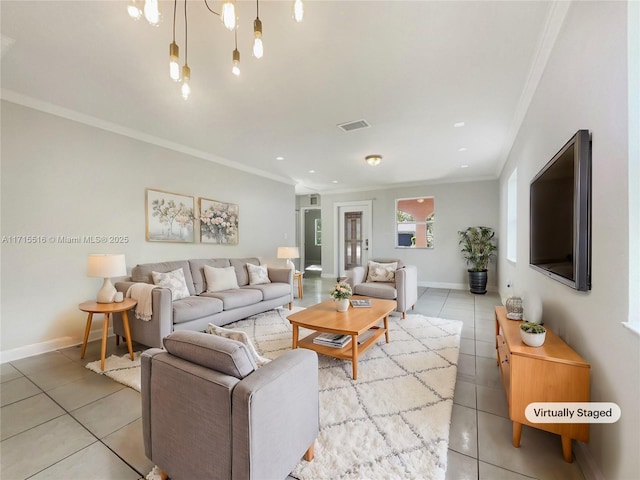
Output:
[[410, 69]]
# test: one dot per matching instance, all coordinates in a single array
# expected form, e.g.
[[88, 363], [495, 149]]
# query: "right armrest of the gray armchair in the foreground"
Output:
[[275, 416]]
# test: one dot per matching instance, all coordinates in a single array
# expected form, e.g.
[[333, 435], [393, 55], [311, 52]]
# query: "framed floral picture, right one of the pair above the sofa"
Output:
[[218, 222]]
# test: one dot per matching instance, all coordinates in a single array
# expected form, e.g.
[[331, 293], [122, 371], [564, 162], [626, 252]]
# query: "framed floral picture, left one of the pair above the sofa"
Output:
[[169, 216]]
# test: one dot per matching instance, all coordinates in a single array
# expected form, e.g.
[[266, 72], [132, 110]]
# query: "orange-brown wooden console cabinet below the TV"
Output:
[[550, 373]]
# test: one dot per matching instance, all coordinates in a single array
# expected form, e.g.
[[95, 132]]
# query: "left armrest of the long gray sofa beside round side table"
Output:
[[152, 332]]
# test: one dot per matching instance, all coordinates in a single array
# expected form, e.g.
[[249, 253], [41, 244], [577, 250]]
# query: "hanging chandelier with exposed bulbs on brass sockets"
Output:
[[149, 9]]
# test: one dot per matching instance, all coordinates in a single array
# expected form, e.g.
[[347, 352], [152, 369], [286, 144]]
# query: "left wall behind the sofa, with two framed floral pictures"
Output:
[[60, 177]]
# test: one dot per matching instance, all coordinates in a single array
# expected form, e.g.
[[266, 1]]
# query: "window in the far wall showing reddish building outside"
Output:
[[414, 222]]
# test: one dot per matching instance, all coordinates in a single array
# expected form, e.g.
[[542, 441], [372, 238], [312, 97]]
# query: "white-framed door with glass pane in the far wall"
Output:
[[354, 236]]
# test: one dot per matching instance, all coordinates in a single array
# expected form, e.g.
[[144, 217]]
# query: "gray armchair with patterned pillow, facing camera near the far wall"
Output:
[[403, 289]]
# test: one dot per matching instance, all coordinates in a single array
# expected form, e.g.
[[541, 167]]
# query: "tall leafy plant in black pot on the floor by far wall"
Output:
[[478, 248]]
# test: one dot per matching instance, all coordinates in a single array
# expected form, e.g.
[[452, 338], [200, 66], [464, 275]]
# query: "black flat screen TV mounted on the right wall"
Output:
[[560, 215]]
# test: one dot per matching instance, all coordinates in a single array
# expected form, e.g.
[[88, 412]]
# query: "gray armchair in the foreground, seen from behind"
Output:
[[208, 412]]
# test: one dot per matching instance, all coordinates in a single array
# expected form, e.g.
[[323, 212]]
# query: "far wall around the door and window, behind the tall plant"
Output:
[[457, 206]]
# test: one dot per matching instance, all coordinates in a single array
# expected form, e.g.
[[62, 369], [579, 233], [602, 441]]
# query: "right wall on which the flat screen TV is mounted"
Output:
[[585, 87]]
